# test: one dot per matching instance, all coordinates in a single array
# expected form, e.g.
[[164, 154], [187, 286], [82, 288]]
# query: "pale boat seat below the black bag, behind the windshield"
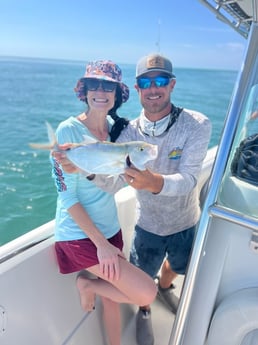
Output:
[[239, 195]]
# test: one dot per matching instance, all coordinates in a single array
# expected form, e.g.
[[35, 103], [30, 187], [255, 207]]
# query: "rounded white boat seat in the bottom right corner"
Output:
[[235, 321]]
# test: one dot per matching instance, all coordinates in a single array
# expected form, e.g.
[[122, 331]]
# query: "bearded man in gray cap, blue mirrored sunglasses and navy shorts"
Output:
[[167, 195]]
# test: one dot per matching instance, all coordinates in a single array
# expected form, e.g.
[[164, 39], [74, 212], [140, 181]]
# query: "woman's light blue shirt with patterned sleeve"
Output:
[[74, 188]]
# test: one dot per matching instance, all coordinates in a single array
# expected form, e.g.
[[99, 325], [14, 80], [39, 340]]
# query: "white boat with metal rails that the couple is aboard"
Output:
[[219, 293]]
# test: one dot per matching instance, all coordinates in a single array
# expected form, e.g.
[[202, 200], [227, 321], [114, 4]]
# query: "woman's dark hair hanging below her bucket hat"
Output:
[[119, 122]]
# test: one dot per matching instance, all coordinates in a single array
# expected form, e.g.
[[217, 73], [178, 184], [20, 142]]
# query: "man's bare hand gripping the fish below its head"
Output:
[[145, 179]]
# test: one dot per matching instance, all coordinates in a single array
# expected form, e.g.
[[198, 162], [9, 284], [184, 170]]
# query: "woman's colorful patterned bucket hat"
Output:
[[102, 69]]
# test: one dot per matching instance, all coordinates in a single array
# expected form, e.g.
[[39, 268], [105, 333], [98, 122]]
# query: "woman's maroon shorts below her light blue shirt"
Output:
[[73, 256]]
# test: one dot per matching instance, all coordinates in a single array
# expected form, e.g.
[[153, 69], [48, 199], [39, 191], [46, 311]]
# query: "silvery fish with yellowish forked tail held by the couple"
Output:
[[102, 157]]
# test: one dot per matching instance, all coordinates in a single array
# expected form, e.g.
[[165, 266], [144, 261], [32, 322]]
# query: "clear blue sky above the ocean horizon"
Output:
[[123, 31]]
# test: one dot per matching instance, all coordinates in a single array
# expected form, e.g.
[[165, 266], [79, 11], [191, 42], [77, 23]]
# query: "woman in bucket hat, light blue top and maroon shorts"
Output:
[[88, 235]]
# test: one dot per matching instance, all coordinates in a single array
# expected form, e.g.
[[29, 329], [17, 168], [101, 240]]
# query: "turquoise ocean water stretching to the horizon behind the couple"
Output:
[[33, 91]]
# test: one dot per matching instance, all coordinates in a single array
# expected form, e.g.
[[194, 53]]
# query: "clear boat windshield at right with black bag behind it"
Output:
[[239, 190]]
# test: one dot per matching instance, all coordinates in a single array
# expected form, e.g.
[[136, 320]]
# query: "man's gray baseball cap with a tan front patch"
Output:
[[154, 62]]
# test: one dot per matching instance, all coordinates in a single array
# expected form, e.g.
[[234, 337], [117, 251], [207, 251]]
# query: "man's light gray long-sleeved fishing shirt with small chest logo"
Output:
[[181, 151]]
